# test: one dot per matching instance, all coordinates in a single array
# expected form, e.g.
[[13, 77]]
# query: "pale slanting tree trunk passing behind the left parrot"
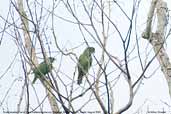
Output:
[[32, 54]]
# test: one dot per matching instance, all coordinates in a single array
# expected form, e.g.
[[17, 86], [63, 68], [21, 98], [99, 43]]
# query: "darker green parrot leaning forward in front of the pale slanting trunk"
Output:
[[43, 68]]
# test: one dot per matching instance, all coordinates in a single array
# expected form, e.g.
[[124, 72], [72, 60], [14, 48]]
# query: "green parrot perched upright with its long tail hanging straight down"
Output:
[[84, 63]]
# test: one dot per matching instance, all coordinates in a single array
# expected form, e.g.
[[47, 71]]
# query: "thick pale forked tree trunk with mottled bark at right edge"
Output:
[[157, 39]]
